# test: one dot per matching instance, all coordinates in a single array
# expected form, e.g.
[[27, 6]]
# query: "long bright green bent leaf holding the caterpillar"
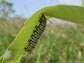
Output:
[[64, 12]]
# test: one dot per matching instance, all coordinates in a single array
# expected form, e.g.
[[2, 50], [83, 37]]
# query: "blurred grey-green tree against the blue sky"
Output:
[[6, 9]]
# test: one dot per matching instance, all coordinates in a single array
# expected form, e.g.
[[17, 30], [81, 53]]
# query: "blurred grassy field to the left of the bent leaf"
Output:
[[8, 31]]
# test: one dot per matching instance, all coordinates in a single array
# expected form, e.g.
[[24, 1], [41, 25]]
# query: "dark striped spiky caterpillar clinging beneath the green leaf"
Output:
[[37, 32]]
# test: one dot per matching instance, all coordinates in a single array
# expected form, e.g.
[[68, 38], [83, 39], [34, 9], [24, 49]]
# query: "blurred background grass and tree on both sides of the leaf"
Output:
[[60, 43]]
